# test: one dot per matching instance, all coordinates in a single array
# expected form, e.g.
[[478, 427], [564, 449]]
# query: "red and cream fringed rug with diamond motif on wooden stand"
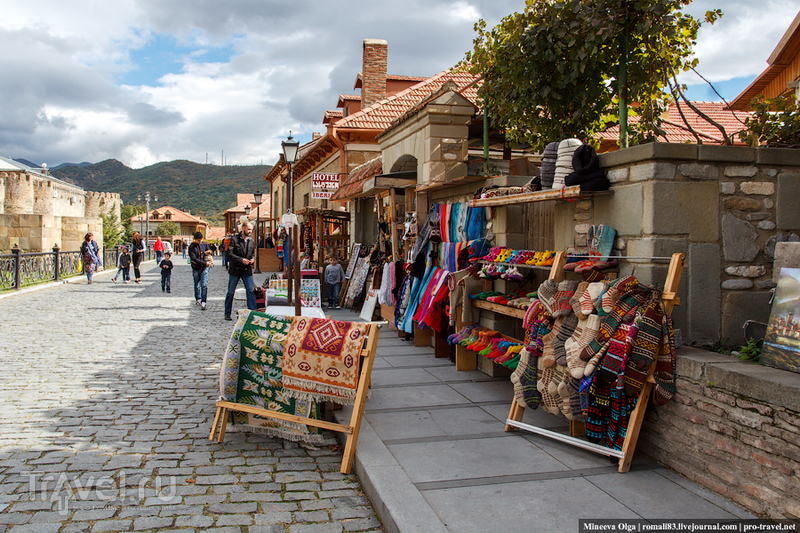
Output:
[[321, 359]]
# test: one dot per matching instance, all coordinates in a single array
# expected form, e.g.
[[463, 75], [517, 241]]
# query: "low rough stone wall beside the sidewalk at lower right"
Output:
[[732, 427]]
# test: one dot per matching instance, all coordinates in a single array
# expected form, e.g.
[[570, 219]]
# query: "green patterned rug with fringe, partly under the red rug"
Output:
[[251, 375]]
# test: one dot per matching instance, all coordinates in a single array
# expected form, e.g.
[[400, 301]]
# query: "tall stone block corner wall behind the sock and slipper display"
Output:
[[724, 207]]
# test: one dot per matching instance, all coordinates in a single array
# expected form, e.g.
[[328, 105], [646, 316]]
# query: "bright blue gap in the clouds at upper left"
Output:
[[165, 55]]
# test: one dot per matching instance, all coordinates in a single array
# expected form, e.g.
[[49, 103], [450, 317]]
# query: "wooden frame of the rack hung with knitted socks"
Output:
[[576, 428]]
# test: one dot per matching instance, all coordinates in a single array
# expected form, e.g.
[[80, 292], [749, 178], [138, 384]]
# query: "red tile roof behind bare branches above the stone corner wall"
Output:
[[678, 133]]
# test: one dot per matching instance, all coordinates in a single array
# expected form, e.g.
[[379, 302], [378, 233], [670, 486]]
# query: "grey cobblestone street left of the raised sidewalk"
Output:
[[105, 410]]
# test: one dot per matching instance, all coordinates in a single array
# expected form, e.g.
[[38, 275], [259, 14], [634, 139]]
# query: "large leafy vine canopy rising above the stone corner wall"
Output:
[[552, 71]]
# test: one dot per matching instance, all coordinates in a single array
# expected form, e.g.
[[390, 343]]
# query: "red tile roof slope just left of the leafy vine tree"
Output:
[[380, 115]]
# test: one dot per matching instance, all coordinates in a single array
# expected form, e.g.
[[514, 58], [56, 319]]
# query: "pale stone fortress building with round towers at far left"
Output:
[[38, 211]]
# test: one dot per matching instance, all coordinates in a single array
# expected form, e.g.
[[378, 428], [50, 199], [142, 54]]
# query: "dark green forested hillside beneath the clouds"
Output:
[[204, 190]]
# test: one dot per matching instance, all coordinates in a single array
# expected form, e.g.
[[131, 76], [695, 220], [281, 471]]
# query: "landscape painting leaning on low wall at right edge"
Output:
[[782, 343]]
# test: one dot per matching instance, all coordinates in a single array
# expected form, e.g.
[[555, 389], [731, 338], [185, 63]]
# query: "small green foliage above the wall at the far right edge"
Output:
[[775, 122]]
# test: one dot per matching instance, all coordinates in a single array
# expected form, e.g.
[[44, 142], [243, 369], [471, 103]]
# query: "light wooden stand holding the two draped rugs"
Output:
[[351, 430]]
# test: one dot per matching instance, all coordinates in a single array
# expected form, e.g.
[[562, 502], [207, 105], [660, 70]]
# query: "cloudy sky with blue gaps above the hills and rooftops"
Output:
[[144, 81]]
